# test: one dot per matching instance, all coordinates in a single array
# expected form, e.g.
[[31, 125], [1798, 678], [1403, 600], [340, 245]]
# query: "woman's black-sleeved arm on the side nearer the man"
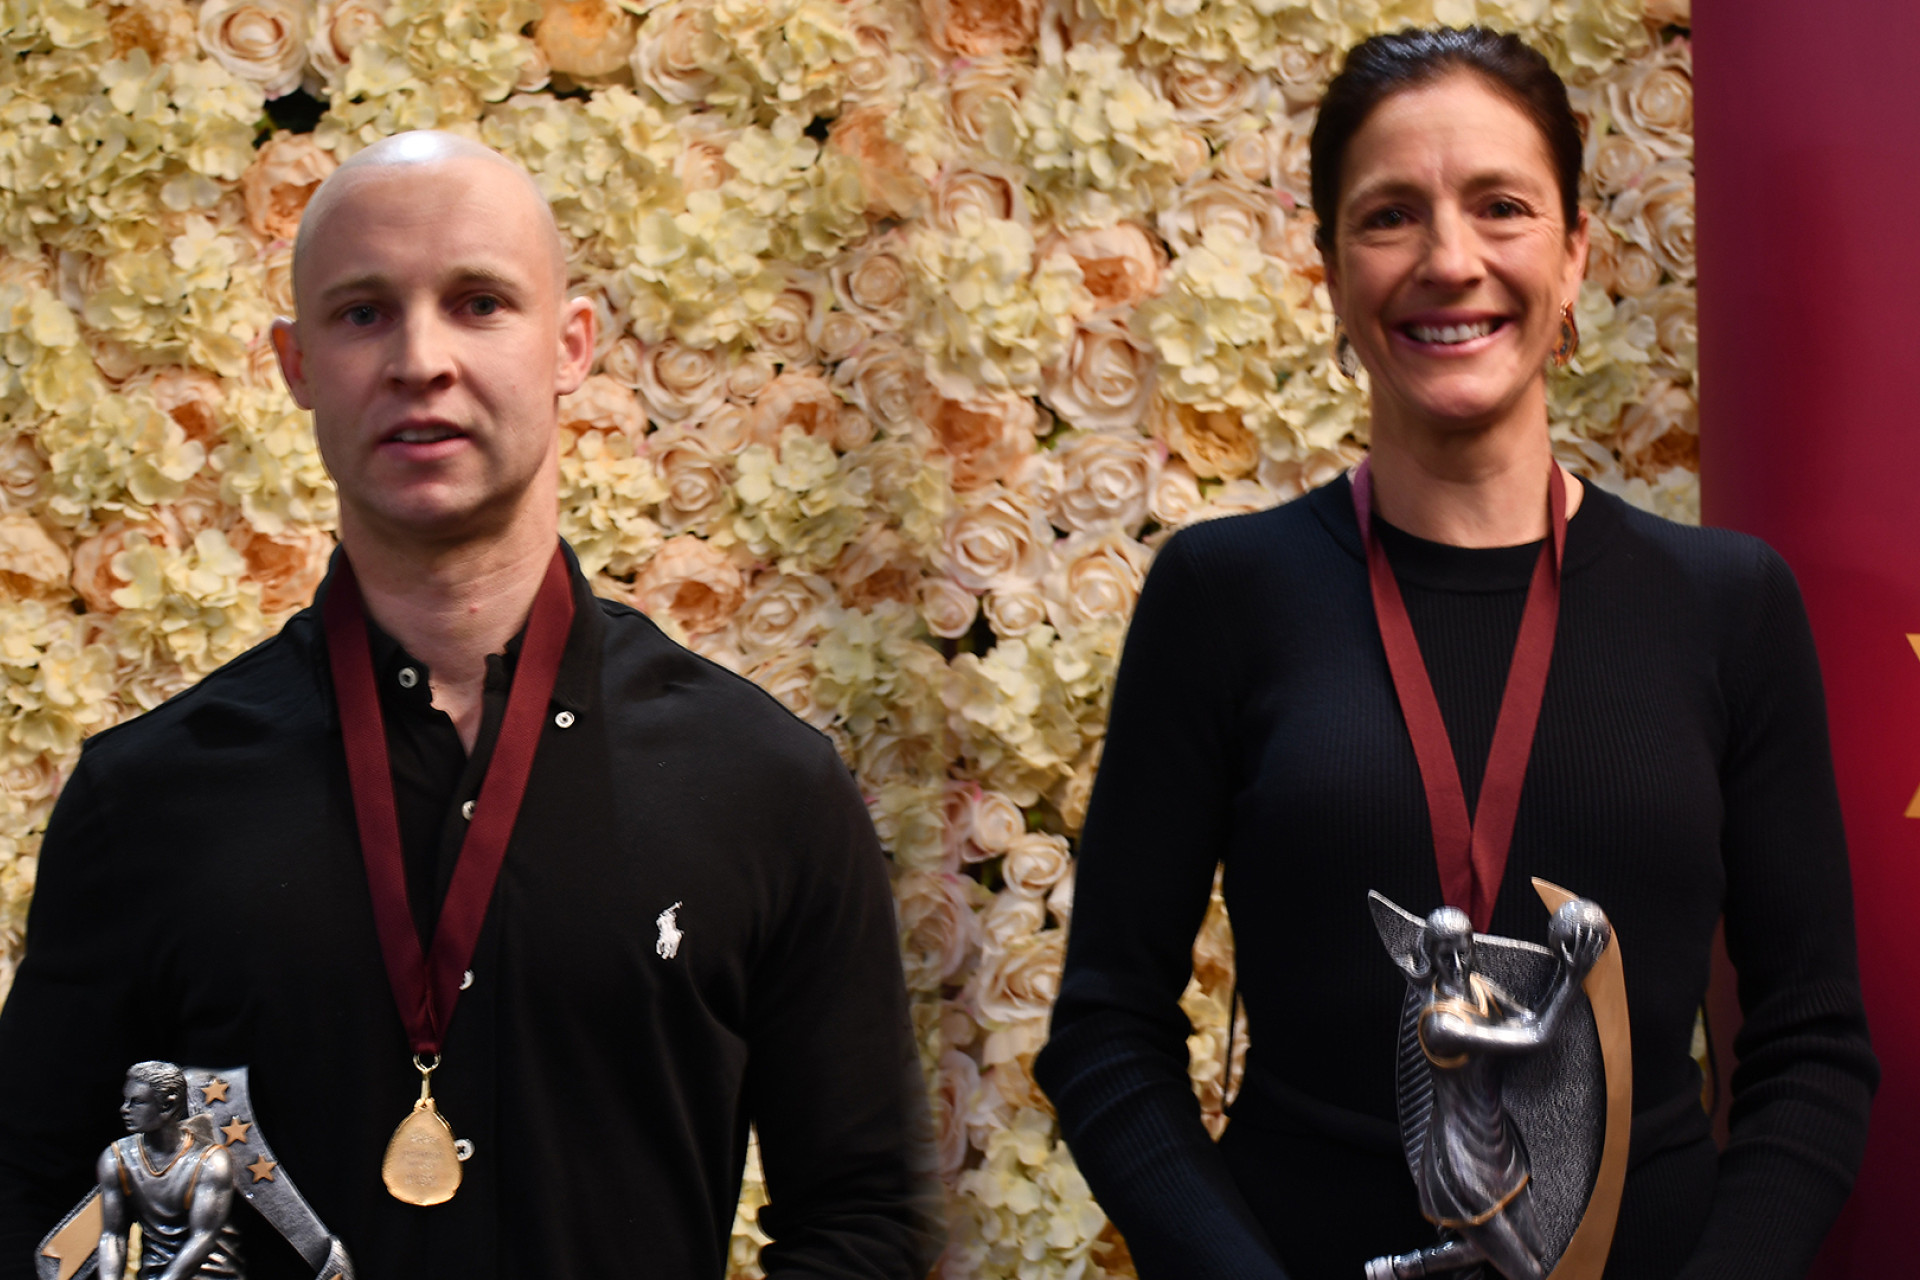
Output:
[[1116, 1064]]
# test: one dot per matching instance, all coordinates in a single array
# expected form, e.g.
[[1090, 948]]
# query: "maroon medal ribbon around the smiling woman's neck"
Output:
[[1472, 853]]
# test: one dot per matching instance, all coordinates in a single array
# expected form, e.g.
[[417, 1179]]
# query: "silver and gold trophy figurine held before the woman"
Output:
[[1516, 1091]]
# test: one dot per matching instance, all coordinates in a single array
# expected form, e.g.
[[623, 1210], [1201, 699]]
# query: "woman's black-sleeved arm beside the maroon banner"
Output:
[[1808, 1072]]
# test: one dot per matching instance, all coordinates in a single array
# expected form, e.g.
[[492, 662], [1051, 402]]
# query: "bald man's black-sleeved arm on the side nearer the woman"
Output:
[[834, 1079]]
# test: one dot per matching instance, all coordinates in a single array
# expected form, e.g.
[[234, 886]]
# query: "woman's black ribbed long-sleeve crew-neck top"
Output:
[[1681, 772]]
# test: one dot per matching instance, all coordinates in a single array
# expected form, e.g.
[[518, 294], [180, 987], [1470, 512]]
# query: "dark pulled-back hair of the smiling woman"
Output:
[[1383, 66]]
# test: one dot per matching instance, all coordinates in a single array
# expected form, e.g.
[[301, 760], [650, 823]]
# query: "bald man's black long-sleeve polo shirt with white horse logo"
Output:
[[203, 901]]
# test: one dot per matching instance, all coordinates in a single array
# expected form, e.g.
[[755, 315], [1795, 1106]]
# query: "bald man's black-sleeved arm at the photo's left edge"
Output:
[[66, 1031]]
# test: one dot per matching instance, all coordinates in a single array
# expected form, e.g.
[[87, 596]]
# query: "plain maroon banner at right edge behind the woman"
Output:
[[1808, 135]]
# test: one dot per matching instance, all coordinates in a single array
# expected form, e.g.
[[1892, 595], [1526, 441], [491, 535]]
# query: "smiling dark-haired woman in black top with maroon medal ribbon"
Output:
[[1360, 726]]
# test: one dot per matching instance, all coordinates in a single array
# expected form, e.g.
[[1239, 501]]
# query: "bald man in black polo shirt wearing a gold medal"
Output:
[[466, 832]]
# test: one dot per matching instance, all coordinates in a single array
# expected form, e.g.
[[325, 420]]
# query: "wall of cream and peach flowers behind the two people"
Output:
[[924, 323]]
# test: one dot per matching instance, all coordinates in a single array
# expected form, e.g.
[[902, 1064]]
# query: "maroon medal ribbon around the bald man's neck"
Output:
[[427, 984]]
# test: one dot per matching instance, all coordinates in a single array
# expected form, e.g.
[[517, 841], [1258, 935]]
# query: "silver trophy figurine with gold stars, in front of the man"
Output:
[[191, 1156]]
